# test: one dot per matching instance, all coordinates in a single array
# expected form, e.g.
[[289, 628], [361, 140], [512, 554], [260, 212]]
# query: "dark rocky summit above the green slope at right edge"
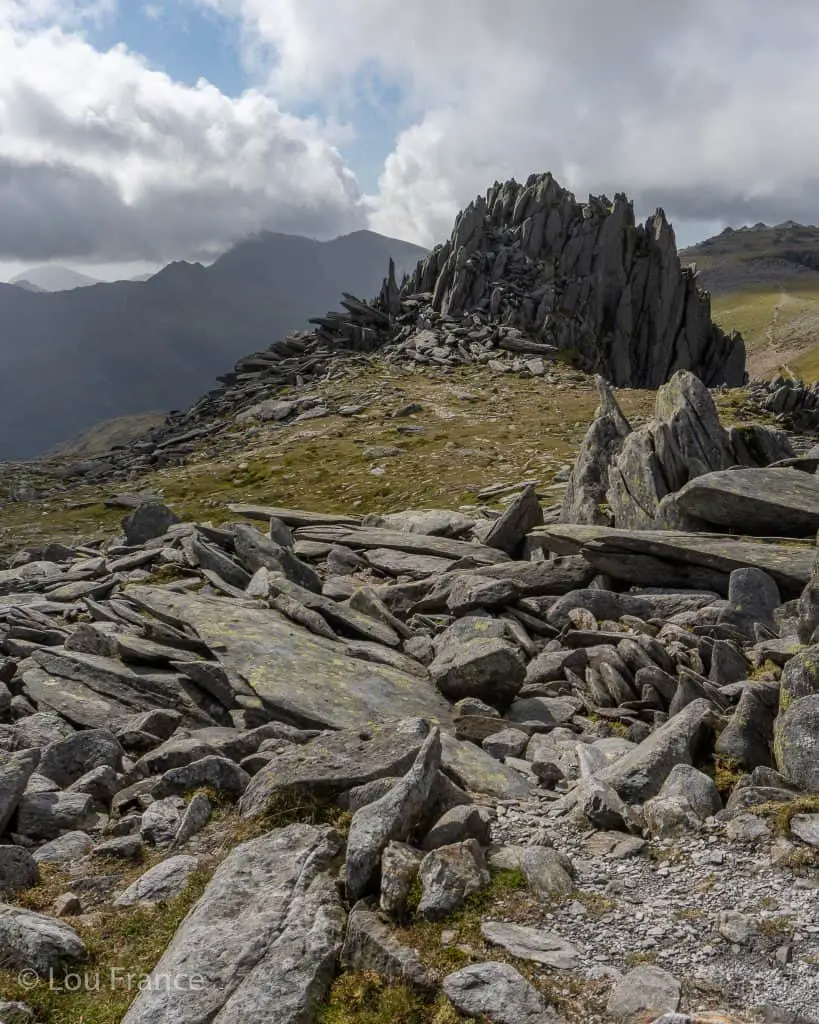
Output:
[[756, 258]]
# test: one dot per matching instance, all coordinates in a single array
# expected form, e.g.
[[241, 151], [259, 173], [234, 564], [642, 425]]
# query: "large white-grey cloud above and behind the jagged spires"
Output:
[[706, 108]]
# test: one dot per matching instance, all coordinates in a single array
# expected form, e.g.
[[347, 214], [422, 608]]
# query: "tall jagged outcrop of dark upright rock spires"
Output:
[[584, 279]]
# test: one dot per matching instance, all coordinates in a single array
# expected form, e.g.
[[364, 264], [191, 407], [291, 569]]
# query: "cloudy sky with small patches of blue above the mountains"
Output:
[[134, 133]]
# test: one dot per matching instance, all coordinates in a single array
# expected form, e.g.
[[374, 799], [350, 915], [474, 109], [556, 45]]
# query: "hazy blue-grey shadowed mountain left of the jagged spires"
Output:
[[72, 359]]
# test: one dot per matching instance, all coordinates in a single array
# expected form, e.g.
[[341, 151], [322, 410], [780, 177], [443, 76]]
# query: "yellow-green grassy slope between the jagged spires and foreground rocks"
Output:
[[475, 429]]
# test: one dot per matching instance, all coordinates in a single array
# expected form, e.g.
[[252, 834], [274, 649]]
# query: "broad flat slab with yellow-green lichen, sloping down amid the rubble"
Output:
[[309, 679]]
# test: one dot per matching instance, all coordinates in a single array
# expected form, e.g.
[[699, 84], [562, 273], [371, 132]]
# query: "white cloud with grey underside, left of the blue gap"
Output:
[[103, 157]]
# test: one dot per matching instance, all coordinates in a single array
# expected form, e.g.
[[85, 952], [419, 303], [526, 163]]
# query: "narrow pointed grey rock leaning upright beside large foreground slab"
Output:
[[394, 818]]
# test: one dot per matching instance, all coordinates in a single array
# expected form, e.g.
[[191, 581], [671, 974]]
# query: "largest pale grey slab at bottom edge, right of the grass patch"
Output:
[[265, 936]]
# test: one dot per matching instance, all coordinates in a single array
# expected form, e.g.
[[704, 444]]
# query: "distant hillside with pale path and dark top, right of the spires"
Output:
[[765, 283]]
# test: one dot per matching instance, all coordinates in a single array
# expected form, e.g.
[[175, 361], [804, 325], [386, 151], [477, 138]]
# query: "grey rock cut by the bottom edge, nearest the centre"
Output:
[[497, 993]]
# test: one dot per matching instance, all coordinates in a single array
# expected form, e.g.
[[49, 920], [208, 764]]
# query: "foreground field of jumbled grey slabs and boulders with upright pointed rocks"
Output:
[[472, 711]]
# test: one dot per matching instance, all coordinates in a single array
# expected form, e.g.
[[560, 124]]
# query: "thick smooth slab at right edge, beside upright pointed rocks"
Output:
[[775, 502]]
